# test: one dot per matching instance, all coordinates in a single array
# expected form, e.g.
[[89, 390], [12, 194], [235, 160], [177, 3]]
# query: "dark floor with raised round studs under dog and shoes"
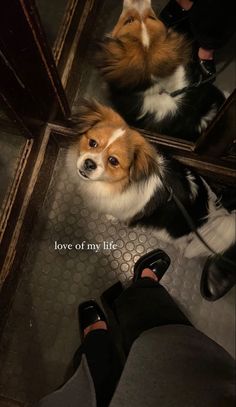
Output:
[[42, 330]]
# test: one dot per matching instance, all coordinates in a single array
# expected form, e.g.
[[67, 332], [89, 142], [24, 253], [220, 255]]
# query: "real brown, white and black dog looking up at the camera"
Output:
[[121, 174]]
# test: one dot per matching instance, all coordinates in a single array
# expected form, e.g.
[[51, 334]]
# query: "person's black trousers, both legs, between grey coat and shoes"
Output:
[[144, 305]]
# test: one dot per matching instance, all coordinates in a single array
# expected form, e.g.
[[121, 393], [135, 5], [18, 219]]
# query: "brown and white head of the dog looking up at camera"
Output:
[[108, 150]]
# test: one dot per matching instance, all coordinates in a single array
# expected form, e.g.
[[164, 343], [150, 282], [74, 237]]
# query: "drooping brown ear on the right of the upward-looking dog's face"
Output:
[[144, 160]]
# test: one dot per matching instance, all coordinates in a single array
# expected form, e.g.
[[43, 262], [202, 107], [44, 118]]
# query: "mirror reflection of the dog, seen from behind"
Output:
[[151, 76]]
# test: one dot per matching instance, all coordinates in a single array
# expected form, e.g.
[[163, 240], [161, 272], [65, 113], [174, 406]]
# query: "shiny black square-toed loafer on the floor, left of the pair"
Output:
[[89, 313]]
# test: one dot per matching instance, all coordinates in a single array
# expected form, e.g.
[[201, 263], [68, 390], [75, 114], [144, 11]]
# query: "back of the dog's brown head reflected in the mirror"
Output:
[[140, 48]]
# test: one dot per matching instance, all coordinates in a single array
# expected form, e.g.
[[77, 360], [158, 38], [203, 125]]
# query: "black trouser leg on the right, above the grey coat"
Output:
[[145, 305]]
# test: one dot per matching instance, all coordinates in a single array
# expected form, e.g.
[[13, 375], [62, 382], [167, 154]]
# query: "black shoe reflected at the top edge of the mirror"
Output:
[[172, 14]]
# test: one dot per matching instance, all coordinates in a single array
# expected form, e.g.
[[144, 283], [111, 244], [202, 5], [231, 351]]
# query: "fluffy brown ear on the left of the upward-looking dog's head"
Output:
[[90, 113]]
